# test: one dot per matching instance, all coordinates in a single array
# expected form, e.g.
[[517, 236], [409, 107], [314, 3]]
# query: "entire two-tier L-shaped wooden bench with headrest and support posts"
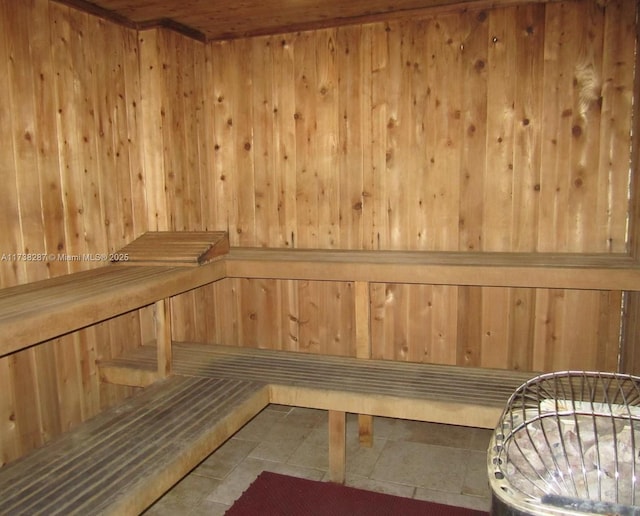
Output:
[[240, 382]]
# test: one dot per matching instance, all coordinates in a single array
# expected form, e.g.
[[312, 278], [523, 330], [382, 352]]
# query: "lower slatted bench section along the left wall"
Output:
[[121, 461]]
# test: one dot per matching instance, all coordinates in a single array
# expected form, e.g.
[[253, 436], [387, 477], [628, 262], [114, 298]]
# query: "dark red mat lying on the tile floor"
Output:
[[272, 494]]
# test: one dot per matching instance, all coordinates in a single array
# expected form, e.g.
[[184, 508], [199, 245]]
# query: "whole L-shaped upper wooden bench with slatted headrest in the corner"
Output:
[[159, 265]]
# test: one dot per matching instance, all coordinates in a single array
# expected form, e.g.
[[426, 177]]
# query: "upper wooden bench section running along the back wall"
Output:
[[533, 270]]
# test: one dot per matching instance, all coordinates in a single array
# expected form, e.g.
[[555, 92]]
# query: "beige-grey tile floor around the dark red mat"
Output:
[[441, 463]]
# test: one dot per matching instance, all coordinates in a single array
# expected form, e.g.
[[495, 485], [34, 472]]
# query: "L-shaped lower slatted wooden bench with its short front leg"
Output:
[[121, 461]]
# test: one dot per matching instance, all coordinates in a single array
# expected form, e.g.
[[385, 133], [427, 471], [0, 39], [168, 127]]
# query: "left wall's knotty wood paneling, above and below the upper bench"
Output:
[[72, 184]]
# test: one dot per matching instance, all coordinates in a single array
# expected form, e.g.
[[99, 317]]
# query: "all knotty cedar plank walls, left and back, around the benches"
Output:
[[380, 136]]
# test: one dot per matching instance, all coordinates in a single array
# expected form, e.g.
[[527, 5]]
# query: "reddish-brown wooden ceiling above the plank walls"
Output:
[[227, 19]]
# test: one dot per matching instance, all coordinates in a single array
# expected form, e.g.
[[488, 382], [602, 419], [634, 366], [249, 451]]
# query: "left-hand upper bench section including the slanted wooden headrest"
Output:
[[153, 268]]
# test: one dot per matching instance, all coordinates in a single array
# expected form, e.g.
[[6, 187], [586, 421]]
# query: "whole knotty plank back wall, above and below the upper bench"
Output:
[[498, 130]]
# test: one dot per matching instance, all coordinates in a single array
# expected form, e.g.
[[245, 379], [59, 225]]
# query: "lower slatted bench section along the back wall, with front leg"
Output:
[[435, 393]]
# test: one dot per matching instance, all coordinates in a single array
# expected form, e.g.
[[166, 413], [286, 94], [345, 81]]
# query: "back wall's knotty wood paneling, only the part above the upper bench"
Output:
[[511, 167]]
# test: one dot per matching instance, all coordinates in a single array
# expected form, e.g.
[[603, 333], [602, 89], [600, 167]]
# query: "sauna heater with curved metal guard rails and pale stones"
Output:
[[567, 443]]
